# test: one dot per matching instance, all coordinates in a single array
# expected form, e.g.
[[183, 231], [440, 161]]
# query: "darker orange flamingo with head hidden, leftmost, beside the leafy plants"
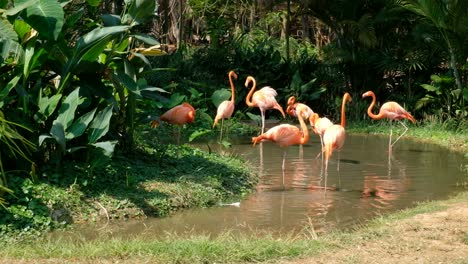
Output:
[[178, 115]]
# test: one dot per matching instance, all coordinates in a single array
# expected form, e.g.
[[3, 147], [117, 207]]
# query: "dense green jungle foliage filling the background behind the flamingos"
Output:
[[77, 76]]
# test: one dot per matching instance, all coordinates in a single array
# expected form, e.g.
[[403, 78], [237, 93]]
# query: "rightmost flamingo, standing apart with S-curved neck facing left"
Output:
[[392, 111]]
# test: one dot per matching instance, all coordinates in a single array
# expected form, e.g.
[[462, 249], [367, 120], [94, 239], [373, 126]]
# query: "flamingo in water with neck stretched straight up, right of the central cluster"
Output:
[[334, 136]]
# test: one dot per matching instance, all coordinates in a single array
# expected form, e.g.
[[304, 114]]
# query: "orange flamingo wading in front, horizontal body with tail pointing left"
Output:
[[286, 135]]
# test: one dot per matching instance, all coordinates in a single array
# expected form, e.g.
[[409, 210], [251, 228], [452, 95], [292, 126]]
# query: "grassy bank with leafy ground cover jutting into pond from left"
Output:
[[153, 180]]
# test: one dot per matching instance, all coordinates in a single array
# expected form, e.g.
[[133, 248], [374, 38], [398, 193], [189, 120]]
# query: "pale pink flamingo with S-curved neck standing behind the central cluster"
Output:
[[263, 99]]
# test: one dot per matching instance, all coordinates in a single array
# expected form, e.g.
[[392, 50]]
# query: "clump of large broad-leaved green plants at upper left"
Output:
[[78, 93]]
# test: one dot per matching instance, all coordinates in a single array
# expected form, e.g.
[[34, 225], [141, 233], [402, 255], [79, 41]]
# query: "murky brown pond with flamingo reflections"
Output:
[[370, 182]]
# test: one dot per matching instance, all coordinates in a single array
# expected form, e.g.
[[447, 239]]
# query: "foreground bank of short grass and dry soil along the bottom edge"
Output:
[[380, 234]]
